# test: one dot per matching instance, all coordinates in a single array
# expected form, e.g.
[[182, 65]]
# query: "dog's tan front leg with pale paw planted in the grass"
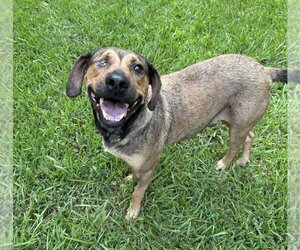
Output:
[[144, 175]]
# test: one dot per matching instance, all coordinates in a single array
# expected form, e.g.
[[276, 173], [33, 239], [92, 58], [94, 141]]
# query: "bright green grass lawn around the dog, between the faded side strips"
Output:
[[69, 194]]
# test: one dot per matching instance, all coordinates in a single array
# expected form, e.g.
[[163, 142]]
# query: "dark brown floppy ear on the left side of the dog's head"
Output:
[[77, 75]]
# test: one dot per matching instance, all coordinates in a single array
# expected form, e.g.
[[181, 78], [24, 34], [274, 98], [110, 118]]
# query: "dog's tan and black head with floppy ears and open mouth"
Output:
[[117, 83]]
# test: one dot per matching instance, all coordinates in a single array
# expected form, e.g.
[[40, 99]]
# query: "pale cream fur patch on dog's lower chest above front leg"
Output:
[[136, 161]]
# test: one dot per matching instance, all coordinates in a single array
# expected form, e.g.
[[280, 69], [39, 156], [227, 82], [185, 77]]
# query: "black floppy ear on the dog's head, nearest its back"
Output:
[[155, 83]]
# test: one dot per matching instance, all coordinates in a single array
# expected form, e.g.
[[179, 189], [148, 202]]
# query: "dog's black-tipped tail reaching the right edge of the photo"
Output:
[[284, 76]]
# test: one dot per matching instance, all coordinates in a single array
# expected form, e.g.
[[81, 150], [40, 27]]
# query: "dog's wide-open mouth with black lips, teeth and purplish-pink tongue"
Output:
[[113, 111]]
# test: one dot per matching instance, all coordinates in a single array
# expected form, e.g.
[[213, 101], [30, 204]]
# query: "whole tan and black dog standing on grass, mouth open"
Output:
[[139, 112]]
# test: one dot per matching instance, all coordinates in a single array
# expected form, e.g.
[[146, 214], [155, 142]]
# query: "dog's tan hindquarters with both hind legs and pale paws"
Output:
[[241, 115]]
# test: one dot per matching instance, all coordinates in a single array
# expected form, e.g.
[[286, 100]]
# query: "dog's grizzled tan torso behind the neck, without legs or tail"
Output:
[[208, 91]]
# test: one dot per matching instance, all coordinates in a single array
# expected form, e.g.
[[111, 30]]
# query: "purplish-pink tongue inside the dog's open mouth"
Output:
[[113, 111]]
